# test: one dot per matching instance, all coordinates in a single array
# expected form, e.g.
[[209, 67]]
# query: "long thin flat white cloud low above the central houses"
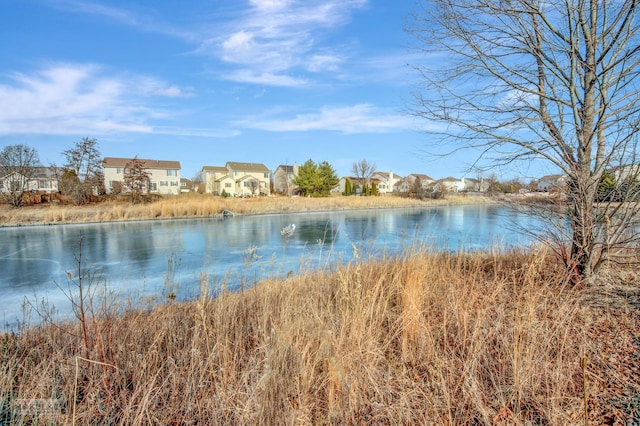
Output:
[[360, 118]]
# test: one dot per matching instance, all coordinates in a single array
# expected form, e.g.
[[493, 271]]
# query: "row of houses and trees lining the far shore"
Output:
[[115, 175]]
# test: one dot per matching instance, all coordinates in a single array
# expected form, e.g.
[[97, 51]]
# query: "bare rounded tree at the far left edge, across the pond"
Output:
[[18, 166]]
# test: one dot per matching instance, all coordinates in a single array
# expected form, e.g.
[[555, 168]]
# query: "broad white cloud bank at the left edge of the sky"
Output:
[[80, 99]]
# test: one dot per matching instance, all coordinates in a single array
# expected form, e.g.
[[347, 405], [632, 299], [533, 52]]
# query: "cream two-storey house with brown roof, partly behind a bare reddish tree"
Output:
[[164, 175]]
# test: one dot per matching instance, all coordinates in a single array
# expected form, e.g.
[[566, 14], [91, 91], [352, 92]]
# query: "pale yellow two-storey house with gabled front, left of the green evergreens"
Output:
[[237, 179]]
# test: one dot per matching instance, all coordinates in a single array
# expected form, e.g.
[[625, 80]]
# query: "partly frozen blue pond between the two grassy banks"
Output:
[[155, 258]]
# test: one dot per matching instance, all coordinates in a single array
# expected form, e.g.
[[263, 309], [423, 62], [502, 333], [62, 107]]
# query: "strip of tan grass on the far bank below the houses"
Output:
[[190, 206]]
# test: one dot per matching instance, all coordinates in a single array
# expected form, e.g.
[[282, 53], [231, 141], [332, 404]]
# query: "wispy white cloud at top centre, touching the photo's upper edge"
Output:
[[281, 37]]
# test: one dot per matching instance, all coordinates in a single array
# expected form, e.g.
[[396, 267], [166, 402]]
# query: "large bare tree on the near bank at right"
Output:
[[532, 79]]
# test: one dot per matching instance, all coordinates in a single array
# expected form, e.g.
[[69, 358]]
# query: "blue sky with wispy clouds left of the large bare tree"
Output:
[[210, 81]]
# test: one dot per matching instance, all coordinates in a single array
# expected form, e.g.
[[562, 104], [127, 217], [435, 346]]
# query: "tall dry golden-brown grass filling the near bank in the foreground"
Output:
[[425, 338]]
